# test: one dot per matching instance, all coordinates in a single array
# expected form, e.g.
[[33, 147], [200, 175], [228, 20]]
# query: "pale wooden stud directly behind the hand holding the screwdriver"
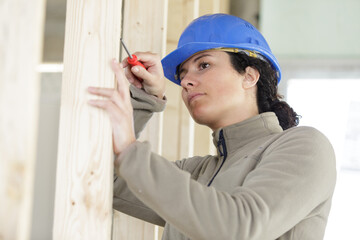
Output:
[[145, 30]]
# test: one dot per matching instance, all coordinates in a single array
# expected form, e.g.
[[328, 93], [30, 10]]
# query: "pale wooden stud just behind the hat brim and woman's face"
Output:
[[178, 142]]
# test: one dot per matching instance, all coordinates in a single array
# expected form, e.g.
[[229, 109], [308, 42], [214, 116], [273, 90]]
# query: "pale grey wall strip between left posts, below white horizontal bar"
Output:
[[44, 185]]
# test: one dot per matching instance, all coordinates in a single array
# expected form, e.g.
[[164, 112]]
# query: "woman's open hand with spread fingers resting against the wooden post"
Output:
[[118, 105]]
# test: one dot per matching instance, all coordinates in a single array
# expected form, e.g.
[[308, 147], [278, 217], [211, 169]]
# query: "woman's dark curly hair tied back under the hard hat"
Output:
[[268, 98]]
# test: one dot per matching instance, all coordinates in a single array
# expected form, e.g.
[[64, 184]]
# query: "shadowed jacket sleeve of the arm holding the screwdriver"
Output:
[[144, 106]]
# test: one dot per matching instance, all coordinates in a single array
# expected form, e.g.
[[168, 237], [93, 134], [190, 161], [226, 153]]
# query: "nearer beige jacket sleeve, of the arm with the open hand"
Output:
[[299, 167]]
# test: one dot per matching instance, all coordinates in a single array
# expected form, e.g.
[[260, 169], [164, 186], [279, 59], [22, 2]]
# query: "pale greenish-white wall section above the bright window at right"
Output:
[[312, 28]]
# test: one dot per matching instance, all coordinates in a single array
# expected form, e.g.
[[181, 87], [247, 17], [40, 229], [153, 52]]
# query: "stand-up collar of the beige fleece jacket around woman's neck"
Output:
[[239, 134]]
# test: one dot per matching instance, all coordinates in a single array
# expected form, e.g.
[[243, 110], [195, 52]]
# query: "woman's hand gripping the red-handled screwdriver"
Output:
[[152, 78]]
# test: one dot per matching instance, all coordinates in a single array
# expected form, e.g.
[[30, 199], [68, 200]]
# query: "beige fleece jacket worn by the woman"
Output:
[[264, 183]]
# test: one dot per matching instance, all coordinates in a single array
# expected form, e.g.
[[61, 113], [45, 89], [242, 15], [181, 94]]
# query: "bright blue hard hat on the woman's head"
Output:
[[216, 31]]
